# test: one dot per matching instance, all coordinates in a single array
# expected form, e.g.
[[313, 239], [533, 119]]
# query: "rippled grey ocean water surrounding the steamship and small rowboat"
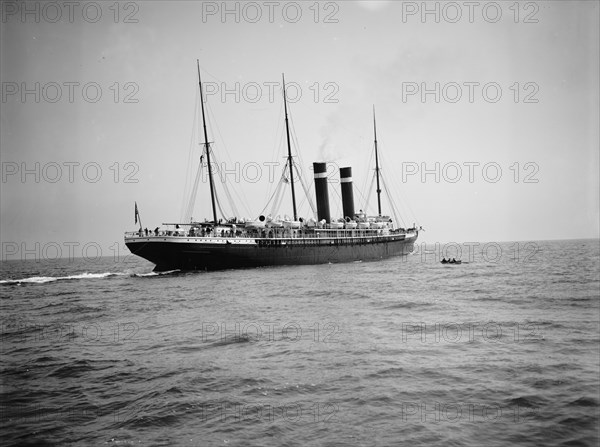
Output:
[[500, 350]]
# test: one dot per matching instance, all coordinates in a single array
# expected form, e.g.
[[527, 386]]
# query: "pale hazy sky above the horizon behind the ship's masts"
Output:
[[502, 101]]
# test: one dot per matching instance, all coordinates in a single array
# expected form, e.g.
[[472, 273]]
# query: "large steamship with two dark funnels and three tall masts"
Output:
[[219, 244]]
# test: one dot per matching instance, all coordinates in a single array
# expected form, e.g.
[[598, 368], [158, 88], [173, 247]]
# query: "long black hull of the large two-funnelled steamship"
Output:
[[189, 253]]
